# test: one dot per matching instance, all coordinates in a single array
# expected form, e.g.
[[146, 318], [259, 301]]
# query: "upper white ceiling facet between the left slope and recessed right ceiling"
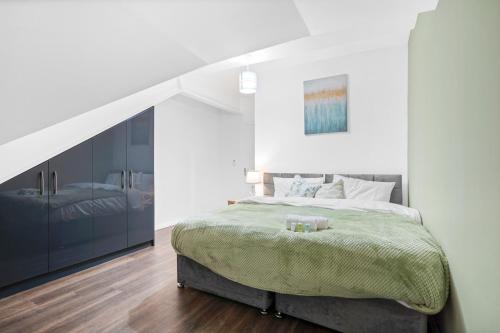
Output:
[[215, 30]]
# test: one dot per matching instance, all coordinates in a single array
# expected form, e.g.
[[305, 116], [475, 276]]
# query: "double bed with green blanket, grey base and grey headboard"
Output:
[[376, 269]]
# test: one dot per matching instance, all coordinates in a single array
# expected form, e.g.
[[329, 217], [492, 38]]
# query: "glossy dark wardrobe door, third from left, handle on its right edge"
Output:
[[110, 204]]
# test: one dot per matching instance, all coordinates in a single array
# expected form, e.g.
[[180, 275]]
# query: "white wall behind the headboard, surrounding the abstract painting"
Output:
[[377, 117]]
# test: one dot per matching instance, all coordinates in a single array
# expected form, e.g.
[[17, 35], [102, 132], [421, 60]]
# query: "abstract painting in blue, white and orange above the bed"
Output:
[[325, 105]]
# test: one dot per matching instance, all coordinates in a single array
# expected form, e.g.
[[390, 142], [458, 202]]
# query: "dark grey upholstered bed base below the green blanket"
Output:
[[342, 314]]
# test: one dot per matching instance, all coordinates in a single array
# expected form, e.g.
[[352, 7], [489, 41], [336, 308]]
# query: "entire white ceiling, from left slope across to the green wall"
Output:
[[62, 58]]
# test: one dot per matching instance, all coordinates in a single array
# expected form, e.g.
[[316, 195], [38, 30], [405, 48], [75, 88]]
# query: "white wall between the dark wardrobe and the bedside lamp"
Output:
[[200, 154]]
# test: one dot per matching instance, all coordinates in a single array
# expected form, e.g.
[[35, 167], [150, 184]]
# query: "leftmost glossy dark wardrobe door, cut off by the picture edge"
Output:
[[24, 226]]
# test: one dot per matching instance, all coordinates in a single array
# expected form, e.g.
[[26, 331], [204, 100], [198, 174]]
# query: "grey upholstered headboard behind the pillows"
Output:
[[396, 195]]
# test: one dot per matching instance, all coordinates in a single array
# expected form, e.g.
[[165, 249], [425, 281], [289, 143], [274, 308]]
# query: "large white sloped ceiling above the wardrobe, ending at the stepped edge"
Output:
[[61, 58]]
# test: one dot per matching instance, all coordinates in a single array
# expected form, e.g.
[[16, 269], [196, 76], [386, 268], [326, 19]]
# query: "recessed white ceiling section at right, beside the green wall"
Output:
[[338, 28]]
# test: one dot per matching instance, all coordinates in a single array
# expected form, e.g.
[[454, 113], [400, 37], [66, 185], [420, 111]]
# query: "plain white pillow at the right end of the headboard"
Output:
[[365, 189]]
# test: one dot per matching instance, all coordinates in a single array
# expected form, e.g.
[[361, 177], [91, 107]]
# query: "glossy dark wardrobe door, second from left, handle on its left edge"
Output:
[[70, 206]]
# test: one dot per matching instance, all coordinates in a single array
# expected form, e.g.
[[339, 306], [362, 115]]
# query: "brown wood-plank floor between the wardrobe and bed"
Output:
[[133, 293]]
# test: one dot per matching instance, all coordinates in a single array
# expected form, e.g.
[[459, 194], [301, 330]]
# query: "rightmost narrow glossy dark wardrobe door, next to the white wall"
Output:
[[140, 165]]
